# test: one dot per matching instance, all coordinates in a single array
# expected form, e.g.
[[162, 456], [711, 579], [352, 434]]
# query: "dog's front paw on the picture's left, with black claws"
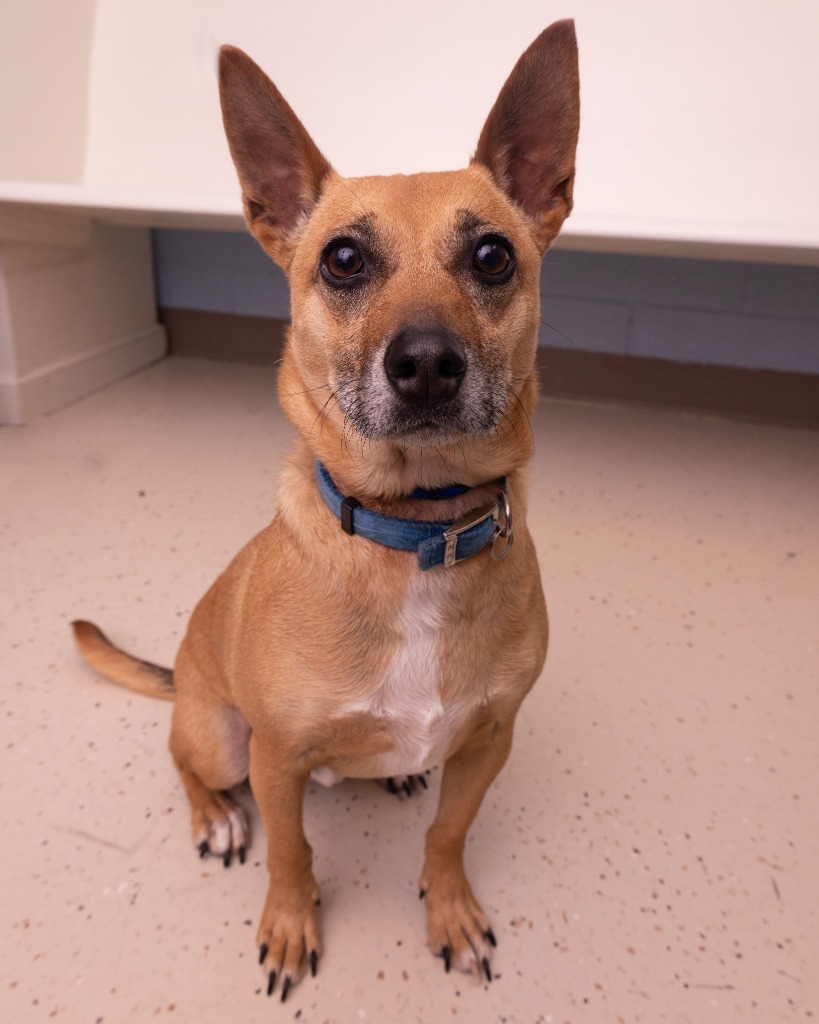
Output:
[[289, 937]]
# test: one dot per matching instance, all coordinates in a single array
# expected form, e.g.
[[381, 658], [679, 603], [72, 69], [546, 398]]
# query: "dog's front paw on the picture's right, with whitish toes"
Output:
[[459, 930]]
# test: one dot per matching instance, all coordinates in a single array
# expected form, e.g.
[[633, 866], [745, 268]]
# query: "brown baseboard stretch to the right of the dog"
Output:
[[760, 395]]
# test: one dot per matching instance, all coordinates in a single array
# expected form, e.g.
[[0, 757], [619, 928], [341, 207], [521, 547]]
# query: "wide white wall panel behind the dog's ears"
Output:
[[701, 114]]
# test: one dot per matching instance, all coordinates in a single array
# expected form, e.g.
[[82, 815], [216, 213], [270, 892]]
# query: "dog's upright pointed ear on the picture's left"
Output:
[[280, 167]]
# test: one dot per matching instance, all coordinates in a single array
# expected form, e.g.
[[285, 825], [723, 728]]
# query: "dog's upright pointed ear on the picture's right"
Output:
[[531, 137]]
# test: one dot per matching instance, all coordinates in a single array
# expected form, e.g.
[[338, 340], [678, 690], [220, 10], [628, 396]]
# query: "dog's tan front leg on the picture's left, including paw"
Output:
[[289, 935]]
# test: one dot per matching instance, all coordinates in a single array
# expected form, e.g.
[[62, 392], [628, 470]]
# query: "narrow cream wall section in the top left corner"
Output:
[[45, 66]]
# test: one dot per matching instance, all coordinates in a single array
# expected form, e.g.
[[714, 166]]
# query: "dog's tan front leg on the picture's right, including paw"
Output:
[[459, 930]]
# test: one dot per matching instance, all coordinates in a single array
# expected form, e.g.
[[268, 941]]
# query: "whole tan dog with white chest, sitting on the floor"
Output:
[[324, 648]]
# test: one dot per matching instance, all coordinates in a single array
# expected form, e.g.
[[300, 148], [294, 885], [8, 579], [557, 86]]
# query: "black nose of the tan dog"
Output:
[[425, 367]]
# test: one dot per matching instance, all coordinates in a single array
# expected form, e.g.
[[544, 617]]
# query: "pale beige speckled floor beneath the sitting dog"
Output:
[[650, 855]]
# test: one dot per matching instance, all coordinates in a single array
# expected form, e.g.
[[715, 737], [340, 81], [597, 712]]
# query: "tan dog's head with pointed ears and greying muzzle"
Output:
[[415, 300]]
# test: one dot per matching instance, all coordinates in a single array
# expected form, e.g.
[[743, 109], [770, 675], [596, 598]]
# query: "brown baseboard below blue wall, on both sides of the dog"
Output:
[[761, 395]]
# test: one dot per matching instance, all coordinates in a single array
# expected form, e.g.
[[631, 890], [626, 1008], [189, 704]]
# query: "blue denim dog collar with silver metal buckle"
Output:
[[436, 543]]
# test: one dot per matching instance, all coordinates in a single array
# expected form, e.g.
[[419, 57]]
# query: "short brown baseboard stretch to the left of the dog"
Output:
[[227, 337]]
